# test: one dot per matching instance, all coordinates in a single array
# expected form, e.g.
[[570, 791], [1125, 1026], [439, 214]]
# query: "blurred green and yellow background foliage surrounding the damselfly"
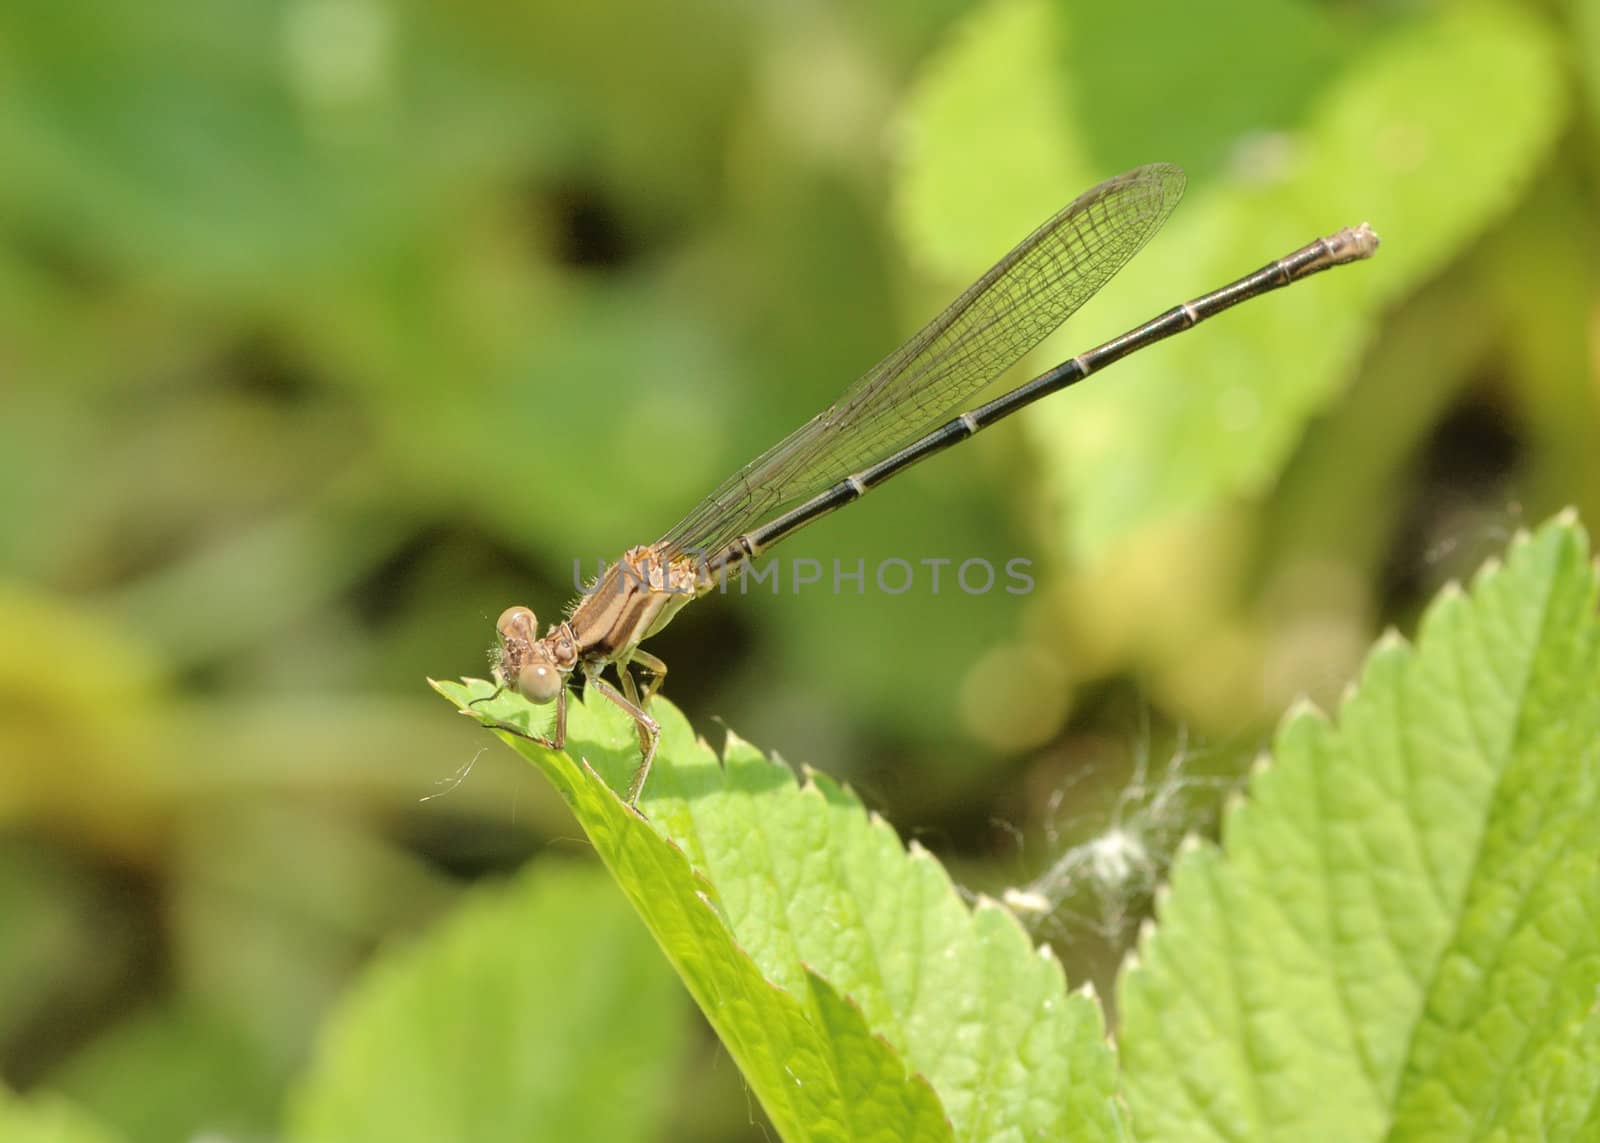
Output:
[[332, 327]]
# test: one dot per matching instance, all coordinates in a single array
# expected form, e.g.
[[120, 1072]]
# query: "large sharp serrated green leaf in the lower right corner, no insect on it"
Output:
[[1402, 932]]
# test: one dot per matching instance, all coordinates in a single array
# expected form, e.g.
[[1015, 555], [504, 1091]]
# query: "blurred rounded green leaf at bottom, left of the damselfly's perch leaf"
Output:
[[519, 1021]]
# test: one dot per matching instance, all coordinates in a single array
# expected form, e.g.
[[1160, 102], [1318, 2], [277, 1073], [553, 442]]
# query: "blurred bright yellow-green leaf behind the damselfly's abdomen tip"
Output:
[[1428, 134]]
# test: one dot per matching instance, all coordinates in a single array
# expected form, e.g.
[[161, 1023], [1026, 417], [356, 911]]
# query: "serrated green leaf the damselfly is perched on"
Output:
[[759, 889]]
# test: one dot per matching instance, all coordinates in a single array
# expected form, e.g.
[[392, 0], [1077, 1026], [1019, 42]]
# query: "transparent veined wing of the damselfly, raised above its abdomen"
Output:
[[929, 380]]
